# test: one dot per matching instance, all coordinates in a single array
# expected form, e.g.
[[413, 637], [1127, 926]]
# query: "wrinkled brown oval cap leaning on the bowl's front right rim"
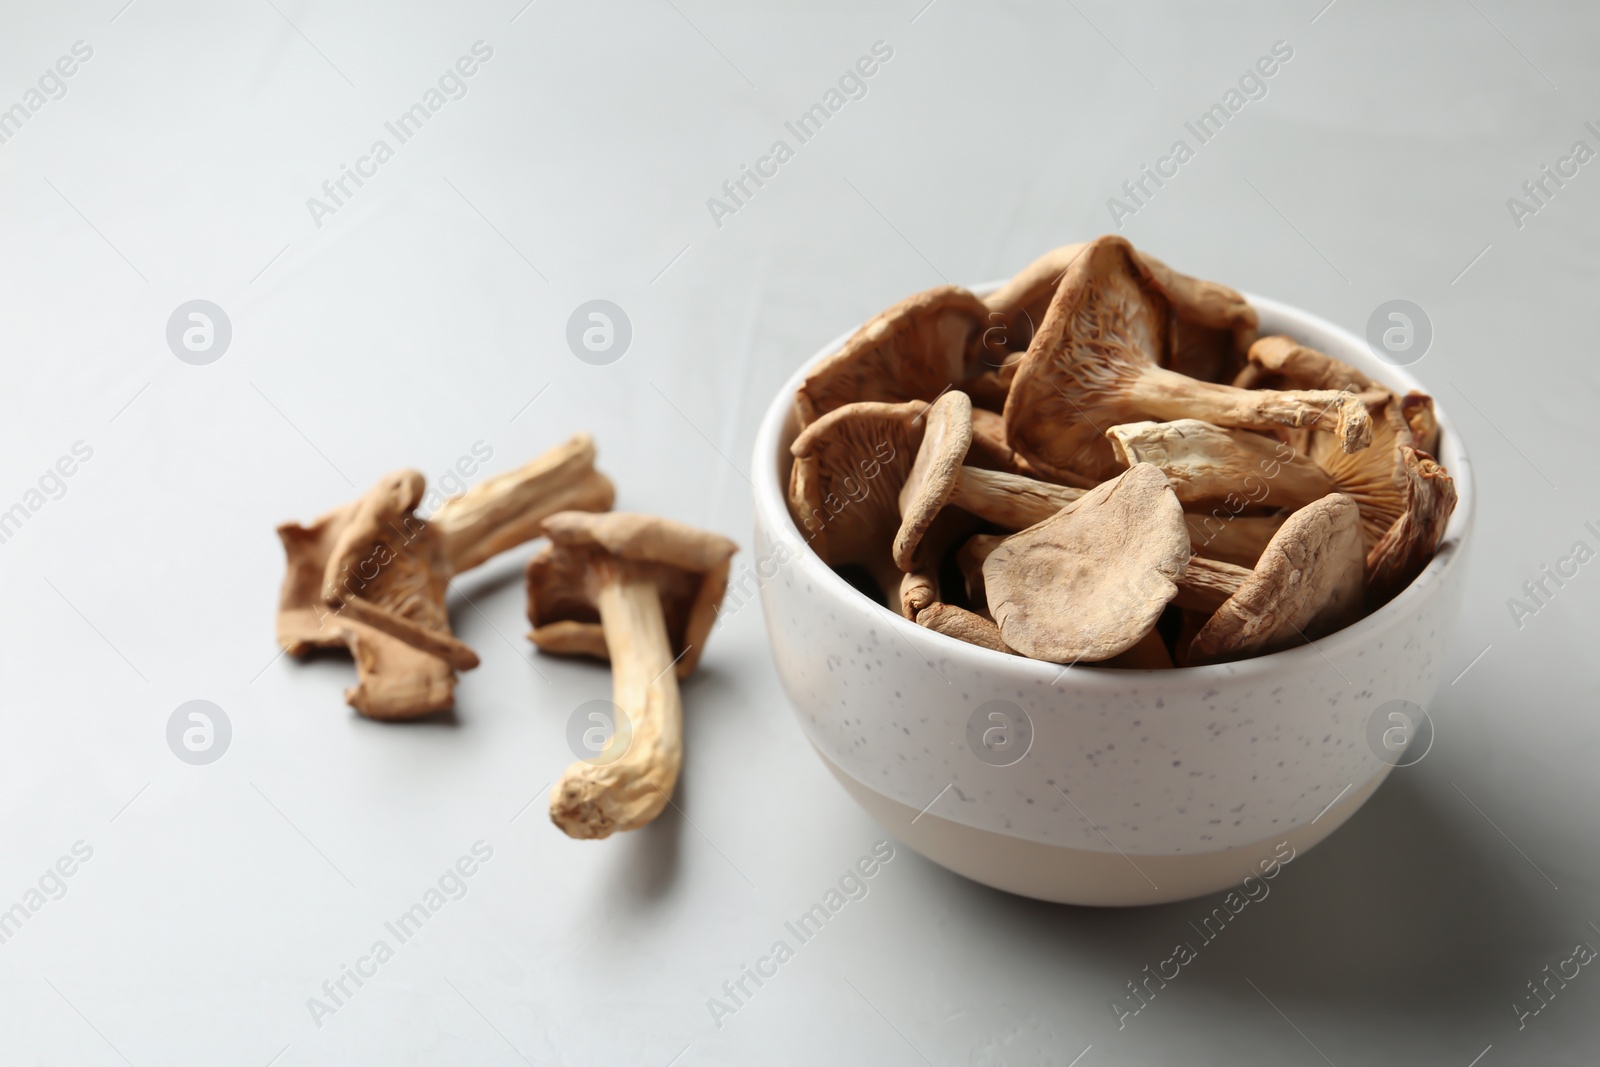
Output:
[[1306, 585]]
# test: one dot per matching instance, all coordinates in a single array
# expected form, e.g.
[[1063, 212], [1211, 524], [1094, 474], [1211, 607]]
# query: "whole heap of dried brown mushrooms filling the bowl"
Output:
[[1105, 463]]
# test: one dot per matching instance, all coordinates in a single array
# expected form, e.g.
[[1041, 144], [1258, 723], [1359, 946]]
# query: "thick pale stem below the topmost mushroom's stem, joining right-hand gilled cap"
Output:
[[1210, 463]]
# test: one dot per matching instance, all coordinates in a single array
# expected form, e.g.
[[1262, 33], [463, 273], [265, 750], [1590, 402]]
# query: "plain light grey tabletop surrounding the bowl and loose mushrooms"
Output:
[[430, 314]]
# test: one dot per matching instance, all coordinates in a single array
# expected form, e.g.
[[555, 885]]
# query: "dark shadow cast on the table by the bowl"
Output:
[[1415, 905]]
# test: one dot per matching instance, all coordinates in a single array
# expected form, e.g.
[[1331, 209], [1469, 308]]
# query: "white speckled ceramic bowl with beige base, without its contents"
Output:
[[1137, 786]]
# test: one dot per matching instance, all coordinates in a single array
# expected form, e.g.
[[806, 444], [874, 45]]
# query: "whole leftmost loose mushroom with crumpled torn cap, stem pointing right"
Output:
[[372, 577]]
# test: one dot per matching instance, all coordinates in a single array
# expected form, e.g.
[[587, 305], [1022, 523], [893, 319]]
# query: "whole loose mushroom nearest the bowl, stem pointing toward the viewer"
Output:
[[655, 586]]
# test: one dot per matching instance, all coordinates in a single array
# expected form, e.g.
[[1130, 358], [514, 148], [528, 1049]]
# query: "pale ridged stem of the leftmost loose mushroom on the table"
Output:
[[508, 510]]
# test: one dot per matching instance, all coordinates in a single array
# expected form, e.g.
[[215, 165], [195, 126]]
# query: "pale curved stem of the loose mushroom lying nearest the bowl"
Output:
[[625, 793]]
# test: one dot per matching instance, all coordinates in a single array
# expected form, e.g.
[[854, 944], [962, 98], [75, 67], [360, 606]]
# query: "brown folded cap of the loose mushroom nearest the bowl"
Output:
[[689, 569]]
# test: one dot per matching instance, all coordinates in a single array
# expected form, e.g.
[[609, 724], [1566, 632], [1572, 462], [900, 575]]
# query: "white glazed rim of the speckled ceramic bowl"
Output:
[[774, 511]]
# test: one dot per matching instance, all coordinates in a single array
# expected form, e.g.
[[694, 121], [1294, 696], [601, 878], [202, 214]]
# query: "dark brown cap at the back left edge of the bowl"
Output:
[[913, 351]]
